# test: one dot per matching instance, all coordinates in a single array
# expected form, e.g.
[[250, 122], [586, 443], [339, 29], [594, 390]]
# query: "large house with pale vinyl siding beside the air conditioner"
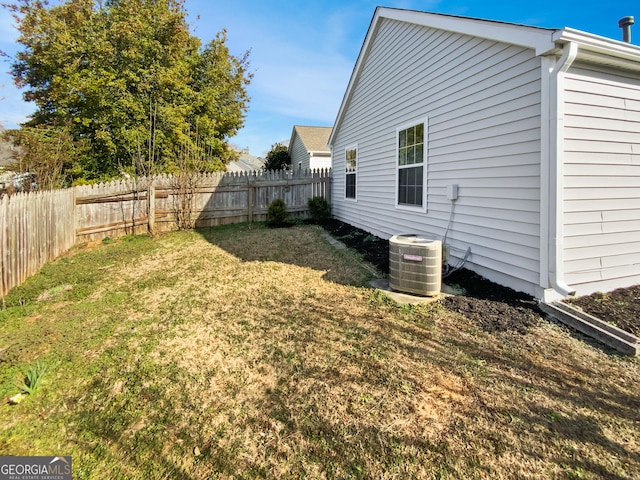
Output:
[[539, 129]]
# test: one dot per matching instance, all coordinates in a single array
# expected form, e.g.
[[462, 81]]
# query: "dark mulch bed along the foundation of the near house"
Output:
[[494, 307]]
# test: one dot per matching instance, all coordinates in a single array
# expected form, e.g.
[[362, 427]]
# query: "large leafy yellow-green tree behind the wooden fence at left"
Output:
[[127, 78]]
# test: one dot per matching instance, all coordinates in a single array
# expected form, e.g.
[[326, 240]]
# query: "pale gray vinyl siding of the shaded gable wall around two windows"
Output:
[[482, 102]]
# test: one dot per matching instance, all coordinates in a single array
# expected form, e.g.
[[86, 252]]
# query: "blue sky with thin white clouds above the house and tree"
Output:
[[303, 52]]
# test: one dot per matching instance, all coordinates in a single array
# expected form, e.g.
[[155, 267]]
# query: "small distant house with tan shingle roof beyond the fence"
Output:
[[308, 147]]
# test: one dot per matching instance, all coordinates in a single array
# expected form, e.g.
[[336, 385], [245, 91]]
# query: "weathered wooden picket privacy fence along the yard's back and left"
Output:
[[38, 227]]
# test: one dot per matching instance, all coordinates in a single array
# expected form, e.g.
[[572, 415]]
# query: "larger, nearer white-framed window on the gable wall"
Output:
[[411, 166]]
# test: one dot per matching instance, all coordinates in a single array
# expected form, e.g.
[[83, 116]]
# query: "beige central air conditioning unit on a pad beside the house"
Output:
[[415, 264]]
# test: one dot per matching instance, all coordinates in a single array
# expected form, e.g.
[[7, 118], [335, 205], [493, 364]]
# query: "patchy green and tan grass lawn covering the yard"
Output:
[[247, 352]]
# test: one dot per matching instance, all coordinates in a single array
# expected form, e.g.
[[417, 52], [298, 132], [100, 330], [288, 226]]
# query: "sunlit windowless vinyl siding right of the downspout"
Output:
[[602, 180]]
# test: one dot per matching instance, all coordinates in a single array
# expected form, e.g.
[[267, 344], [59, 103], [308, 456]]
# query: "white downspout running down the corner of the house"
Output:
[[556, 172]]
